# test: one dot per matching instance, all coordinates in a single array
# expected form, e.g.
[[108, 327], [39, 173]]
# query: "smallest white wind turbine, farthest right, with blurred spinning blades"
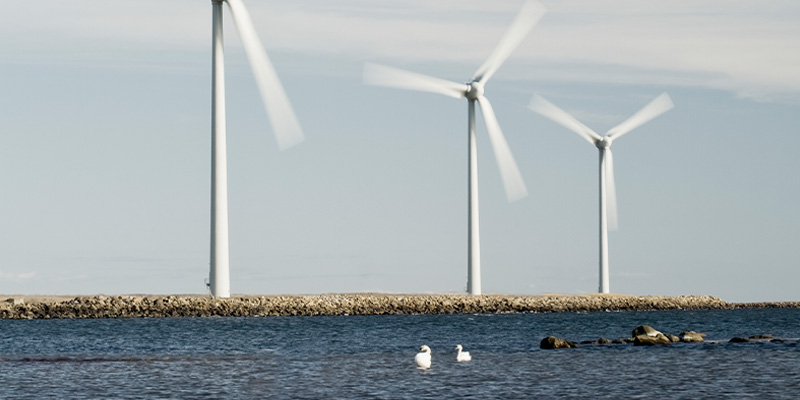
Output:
[[608, 191]]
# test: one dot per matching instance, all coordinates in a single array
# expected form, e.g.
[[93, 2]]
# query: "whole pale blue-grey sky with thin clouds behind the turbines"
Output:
[[105, 156]]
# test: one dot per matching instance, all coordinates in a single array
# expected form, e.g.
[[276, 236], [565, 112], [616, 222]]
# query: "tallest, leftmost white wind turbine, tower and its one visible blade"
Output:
[[284, 125]]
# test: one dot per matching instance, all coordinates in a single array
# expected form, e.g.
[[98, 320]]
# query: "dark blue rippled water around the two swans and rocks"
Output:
[[372, 357]]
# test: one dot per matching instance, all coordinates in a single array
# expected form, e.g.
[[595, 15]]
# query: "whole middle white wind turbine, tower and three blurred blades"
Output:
[[374, 74]]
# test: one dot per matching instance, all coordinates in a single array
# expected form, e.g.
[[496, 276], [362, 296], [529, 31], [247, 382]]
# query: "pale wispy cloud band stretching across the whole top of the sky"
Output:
[[747, 47]]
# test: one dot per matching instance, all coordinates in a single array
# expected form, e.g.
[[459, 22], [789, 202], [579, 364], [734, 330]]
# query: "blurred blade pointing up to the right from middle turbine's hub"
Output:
[[531, 12]]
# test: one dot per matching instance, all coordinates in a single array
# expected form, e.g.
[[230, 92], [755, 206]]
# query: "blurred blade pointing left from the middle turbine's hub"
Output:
[[380, 75]]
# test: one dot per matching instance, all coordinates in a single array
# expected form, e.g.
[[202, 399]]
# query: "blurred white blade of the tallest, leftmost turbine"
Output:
[[281, 115]]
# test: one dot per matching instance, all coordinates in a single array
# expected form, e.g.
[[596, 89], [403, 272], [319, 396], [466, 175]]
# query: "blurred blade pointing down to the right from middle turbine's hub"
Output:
[[512, 179]]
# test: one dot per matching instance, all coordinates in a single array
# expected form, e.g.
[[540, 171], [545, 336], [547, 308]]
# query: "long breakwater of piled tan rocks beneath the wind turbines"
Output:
[[144, 306]]
